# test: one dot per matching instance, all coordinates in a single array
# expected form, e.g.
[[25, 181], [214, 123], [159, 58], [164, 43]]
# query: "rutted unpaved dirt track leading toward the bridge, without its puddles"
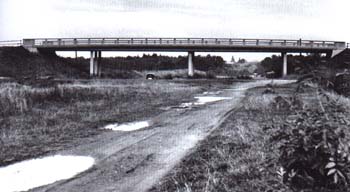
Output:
[[134, 161]]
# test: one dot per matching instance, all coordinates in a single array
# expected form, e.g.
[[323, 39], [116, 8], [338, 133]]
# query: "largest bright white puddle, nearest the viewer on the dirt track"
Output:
[[34, 173]]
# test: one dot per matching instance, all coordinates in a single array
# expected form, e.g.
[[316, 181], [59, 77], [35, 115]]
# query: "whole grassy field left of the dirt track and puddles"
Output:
[[35, 120]]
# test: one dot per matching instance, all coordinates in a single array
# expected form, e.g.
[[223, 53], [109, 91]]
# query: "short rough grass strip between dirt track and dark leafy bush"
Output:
[[233, 157]]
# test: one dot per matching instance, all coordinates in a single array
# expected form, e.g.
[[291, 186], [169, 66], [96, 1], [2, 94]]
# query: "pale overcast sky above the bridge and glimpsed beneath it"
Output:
[[290, 19]]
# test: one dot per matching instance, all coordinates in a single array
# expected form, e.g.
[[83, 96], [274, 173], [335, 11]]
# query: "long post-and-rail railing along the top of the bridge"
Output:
[[185, 41]]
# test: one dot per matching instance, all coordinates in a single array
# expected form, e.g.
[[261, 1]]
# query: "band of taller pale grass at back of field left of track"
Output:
[[17, 99]]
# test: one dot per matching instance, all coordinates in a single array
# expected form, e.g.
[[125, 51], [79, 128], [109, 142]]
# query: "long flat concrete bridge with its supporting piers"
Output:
[[190, 45]]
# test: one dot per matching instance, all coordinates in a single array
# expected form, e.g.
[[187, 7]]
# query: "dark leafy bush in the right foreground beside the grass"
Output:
[[314, 149]]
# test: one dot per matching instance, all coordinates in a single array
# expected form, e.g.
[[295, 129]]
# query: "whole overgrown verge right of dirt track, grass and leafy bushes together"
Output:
[[244, 154]]
